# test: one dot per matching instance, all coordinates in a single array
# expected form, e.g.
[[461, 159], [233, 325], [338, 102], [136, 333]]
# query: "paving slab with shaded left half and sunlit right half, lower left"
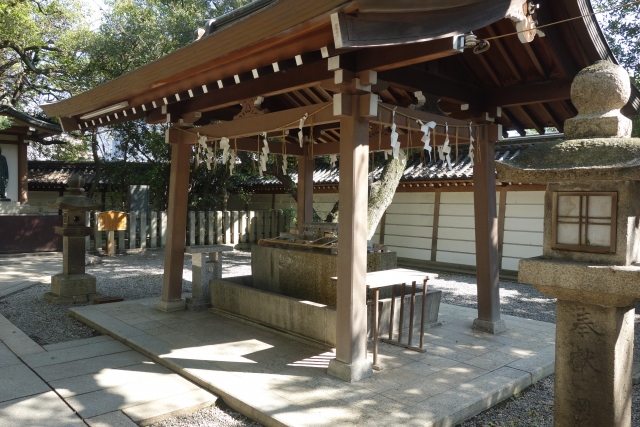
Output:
[[108, 400]]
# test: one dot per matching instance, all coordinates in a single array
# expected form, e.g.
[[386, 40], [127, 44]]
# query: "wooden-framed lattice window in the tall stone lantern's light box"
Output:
[[584, 221]]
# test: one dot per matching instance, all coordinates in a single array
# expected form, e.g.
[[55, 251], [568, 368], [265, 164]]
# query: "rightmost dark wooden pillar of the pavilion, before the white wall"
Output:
[[486, 222]]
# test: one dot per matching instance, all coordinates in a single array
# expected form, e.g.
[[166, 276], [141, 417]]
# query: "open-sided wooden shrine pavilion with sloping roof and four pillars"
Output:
[[328, 77]]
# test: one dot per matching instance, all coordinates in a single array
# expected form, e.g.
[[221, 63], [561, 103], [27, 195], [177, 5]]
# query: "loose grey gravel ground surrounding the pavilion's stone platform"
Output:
[[140, 276]]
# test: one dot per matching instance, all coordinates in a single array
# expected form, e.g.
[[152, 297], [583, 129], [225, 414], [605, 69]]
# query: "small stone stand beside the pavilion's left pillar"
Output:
[[206, 265]]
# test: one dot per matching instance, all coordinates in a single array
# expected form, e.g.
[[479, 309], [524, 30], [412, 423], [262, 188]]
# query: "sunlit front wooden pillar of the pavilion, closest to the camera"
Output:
[[351, 363]]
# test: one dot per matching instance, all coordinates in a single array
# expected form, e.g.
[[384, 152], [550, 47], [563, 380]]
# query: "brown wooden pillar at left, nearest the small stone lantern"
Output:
[[177, 223]]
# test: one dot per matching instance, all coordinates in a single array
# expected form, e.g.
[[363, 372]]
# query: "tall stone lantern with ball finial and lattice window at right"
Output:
[[591, 253]]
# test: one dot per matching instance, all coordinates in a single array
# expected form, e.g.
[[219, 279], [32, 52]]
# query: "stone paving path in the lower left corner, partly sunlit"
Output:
[[97, 382]]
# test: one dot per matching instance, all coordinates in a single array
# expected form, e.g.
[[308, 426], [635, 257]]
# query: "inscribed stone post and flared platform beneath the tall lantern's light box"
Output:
[[594, 338]]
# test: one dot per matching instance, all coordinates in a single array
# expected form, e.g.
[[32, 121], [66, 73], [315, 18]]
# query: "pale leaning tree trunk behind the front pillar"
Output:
[[382, 191]]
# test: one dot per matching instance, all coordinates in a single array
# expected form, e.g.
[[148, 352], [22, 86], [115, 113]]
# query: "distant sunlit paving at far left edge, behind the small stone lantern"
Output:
[[18, 273]]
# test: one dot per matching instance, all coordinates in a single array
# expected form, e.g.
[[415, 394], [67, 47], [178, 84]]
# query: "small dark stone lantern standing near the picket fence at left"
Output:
[[73, 284]]
